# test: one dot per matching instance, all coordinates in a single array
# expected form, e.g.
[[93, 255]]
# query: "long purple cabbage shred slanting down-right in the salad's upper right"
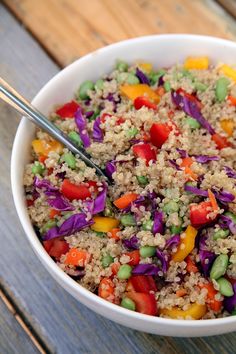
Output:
[[191, 109]]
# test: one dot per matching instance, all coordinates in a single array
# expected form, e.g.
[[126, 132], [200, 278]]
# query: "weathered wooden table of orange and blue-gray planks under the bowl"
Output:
[[36, 314]]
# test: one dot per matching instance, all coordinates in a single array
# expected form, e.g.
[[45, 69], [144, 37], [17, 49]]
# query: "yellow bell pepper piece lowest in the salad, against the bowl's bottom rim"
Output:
[[196, 311]]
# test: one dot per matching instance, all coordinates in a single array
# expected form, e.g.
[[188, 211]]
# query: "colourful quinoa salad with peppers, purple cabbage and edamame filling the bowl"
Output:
[[161, 239]]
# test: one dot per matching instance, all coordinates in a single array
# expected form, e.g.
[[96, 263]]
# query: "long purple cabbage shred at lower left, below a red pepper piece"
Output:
[[73, 224]]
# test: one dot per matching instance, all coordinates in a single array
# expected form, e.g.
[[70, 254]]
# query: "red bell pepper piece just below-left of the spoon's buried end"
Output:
[[72, 191]]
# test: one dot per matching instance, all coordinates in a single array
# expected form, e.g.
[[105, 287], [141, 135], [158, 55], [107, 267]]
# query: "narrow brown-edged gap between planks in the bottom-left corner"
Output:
[[19, 318]]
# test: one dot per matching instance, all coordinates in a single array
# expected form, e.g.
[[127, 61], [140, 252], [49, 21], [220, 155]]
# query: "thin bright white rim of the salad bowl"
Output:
[[65, 280]]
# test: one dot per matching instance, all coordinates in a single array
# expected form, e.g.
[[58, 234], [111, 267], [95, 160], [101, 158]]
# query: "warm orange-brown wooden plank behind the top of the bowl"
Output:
[[68, 29]]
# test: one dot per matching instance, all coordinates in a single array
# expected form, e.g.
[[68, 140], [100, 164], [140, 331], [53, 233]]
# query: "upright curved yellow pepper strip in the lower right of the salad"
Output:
[[186, 244]]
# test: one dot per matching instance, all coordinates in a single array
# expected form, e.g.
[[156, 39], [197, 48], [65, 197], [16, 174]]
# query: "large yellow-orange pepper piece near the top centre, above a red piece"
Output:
[[134, 91]]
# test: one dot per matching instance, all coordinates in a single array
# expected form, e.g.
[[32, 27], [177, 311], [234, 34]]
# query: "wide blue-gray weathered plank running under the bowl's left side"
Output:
[[62, 323]]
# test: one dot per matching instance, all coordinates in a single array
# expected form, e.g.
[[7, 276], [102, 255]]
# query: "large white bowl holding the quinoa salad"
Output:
[[163, 51]]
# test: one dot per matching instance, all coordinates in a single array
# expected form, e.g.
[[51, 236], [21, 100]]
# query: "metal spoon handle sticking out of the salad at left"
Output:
[[13, 98]]
